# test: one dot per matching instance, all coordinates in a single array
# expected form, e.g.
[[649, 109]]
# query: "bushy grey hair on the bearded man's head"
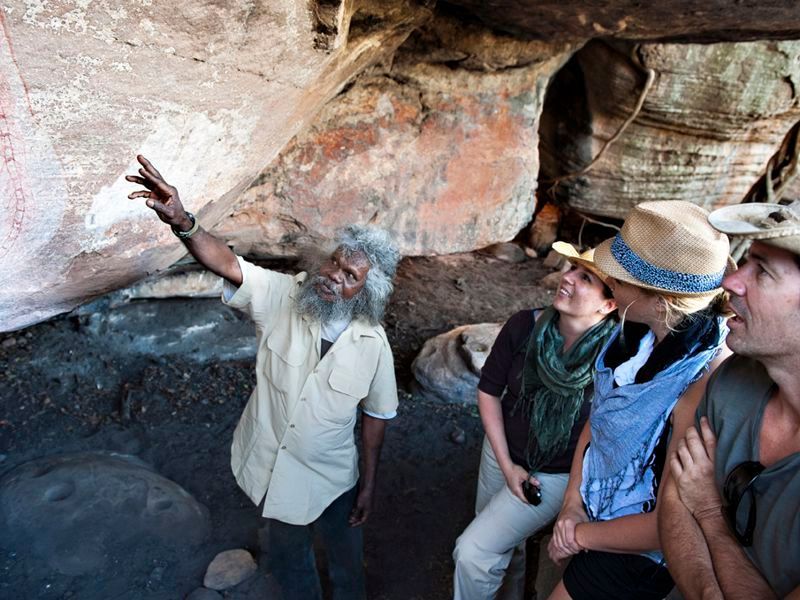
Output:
[[383, 256]]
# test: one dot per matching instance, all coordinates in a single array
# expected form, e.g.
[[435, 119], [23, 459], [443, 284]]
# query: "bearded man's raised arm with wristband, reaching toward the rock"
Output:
[[163, 198]]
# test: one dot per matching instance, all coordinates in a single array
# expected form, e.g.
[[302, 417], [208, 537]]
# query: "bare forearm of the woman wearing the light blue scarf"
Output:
[[625, 535]]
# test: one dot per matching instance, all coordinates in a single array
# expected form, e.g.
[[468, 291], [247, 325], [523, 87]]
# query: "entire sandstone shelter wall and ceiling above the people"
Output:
[[280, 118]]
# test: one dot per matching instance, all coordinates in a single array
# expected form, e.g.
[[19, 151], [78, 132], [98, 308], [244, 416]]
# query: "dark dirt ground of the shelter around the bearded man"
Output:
[[78, 383]]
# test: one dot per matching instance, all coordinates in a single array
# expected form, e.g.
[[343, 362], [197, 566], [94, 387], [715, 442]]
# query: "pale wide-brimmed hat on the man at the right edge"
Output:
[[772, 224]]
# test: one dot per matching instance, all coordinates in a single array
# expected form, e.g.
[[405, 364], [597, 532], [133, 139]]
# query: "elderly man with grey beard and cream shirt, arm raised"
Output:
[[322, 355]]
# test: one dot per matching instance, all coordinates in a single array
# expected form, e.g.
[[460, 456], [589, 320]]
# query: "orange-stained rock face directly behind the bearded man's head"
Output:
[[441, 149]]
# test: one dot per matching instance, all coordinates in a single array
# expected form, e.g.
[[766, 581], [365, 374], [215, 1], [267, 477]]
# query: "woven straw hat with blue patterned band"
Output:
[[669, 247]]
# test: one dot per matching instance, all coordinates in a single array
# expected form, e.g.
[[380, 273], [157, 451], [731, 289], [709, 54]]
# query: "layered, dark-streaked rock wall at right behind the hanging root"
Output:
[[711, 120]]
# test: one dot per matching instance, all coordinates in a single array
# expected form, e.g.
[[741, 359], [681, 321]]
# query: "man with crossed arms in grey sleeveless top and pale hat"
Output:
[[731, 525]]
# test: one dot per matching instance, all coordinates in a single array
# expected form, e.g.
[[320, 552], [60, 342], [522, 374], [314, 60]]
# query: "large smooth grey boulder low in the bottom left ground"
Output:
[[81, 512]]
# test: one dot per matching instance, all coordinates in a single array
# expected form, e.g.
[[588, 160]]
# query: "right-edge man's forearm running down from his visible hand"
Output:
[[737, 575]]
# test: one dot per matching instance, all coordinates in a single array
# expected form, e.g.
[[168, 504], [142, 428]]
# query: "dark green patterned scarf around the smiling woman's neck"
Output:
[[553, 384]]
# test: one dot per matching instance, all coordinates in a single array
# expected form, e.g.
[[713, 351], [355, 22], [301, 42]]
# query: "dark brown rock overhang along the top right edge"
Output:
[[673, 20]]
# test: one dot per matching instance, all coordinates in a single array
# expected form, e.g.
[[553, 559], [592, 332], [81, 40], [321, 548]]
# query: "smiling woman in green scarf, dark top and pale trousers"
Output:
[[534, 397]]
